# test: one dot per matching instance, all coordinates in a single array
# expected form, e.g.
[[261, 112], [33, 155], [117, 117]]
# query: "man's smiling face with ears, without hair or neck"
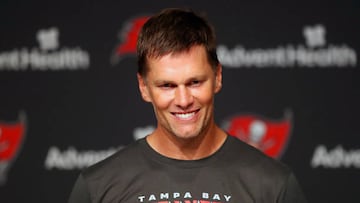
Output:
[[181, 88]]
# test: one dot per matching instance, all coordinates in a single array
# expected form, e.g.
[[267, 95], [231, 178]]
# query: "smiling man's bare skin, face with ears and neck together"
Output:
[[181, 87]]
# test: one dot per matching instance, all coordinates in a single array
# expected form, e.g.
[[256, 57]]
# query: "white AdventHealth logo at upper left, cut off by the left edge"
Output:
[[48, 56]]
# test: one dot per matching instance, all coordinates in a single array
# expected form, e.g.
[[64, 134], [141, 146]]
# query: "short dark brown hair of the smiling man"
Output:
[[174, 30]]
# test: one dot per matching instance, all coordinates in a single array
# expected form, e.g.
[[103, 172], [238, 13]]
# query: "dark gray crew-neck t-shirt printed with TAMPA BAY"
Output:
[[236, 173]]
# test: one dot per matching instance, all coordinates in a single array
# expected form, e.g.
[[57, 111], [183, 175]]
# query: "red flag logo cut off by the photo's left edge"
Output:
[[11, 138]]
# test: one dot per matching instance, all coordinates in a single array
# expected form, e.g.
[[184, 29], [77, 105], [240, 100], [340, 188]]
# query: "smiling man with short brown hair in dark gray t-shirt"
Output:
[[188, 158]]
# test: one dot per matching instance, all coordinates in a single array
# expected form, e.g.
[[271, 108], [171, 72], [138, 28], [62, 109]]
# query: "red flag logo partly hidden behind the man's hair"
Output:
[[128, 37]]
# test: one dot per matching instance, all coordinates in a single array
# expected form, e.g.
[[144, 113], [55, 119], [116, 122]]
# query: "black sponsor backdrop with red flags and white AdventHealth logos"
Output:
[[69, 97]]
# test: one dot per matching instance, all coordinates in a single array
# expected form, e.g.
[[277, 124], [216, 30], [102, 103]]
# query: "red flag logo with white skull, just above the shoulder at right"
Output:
[[267, 135]]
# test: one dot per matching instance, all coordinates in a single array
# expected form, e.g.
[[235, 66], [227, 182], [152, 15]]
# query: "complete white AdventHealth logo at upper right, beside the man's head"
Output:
[[316, 53]]
